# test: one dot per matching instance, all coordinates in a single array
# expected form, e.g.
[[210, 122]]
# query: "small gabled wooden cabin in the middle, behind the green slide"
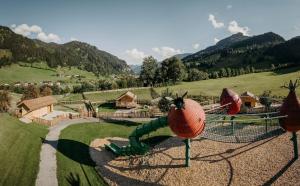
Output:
[[126, 100]]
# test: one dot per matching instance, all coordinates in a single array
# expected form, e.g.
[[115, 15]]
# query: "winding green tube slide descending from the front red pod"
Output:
[[136, 147]]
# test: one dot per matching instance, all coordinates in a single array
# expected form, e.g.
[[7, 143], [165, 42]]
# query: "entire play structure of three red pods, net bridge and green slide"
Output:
[[188, 120]]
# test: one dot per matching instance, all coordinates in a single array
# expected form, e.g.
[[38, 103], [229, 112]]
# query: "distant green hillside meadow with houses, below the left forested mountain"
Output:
[[15, 73]]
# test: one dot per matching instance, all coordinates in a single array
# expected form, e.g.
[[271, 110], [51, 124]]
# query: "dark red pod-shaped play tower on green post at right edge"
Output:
[[291, 108]]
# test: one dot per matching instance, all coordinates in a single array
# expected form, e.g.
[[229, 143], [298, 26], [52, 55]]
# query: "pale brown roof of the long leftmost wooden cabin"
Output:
[[34, 104]]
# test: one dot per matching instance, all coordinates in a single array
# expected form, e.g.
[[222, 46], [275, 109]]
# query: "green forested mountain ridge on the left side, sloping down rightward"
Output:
[[14, 48]]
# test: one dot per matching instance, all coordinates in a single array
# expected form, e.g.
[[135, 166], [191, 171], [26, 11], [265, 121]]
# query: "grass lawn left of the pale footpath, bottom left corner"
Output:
[[20, 146]]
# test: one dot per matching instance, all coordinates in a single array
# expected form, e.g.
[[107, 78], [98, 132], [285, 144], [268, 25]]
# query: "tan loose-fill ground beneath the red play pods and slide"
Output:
[[265, 162]]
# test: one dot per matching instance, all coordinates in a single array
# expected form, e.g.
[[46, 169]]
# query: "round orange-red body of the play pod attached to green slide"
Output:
[[187, 122]]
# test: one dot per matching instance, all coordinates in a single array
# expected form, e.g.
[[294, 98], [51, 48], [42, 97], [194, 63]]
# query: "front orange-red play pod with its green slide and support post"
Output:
[[186, 120]]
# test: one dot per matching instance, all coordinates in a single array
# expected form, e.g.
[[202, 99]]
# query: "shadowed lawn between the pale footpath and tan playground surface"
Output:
[[73, 160]]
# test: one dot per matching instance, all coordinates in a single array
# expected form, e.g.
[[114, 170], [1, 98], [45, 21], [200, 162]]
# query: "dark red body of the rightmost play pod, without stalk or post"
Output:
[[291, 108]]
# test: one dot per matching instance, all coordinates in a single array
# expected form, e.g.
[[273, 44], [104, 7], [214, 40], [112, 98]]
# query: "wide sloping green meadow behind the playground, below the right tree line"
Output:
[[255, 83]]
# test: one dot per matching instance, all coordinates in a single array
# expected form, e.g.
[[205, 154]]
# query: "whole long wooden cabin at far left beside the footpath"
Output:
[[34, 108]]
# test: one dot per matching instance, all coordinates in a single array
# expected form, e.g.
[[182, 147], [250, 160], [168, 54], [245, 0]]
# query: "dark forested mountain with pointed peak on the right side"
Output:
[[237, 51]]
